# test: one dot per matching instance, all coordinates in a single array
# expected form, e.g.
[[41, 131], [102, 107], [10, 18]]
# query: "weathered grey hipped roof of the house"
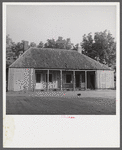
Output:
[[45, 58]]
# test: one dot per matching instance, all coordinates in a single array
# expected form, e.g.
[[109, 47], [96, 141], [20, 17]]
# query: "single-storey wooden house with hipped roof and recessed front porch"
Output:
[[58, 69]]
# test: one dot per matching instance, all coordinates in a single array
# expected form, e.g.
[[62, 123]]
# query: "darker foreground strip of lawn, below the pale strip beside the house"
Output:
[[60, 105]]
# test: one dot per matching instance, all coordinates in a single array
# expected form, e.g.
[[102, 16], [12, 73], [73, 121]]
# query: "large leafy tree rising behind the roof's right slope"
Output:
[[101, 47]]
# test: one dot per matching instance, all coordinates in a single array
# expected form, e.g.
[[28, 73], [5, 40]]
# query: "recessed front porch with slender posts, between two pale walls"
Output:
[[70, 80]]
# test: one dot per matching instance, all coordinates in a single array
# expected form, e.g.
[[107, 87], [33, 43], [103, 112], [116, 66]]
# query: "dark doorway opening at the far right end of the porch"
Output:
[[91, 79]]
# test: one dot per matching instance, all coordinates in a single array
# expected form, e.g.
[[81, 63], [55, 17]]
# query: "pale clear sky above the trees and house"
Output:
[[35, 23]]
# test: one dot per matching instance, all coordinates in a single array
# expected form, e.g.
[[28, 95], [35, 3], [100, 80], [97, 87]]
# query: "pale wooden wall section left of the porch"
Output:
[[20, 79]]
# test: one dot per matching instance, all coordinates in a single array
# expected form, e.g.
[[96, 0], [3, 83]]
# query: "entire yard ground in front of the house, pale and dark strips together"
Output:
[[98, 102]]
